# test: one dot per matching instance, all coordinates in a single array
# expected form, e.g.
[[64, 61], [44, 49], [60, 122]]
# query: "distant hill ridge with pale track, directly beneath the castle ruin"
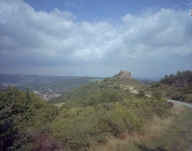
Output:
[[119, 83]]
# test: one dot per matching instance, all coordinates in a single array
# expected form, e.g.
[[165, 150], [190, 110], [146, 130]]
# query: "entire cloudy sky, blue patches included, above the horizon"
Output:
[[149, 38]]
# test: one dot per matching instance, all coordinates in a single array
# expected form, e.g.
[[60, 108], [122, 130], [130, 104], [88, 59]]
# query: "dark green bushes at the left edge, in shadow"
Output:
[[22, 115]]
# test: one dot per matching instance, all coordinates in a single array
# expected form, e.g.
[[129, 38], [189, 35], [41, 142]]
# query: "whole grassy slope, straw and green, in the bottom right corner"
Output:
[[169, 134]]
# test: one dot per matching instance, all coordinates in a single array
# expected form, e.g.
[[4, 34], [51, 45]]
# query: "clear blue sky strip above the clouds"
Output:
[[88, 10]]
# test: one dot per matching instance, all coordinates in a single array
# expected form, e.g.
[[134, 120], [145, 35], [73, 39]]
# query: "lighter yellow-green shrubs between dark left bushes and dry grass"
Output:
[[80, 127]]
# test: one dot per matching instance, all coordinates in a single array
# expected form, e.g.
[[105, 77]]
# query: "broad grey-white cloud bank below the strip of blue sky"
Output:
[[140, 43]]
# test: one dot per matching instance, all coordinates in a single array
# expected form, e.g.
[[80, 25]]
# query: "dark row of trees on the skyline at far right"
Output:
[[180, 79]]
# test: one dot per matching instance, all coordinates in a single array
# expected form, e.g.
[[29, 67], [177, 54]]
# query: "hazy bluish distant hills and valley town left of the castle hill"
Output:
[[46, 87]]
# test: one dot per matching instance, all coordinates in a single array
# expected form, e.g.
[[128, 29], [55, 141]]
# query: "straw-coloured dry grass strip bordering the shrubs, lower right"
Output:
[[154, 130]]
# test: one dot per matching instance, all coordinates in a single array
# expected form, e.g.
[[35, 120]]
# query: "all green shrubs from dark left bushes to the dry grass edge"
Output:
[[29, 123]]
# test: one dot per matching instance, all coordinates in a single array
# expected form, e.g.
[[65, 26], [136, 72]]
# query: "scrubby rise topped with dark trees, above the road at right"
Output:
[[176, 87]]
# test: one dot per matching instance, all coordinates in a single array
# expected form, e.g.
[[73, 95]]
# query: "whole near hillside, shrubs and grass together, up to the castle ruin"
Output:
[[97, 116]]
